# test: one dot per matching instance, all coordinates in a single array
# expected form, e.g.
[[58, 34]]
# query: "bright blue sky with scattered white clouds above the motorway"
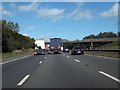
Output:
[[62, 19]]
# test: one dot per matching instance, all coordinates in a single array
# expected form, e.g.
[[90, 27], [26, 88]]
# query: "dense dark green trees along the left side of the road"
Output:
[[12, 39]]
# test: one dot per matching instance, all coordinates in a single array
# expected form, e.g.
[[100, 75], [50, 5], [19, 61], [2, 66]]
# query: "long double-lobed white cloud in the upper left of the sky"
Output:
[[46, 13]]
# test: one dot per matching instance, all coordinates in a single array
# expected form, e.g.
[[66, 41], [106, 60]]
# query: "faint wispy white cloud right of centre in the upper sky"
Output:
[[78, 14]]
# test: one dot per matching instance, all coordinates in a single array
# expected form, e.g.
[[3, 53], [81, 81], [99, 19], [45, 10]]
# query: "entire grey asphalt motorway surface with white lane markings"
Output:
[[61, 71]]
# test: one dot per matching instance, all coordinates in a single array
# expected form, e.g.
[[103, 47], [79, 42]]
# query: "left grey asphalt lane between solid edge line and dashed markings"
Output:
[[14, 71]]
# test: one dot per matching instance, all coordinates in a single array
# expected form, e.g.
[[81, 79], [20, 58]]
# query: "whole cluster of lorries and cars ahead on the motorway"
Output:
[[55, 46]]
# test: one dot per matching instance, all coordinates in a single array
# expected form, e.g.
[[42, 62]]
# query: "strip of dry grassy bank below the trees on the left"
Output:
[[16, 54]]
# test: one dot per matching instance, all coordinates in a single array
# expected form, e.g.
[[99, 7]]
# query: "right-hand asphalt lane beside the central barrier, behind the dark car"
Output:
[[99, 63]]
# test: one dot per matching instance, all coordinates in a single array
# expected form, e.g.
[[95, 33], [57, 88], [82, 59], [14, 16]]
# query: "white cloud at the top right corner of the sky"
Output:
[[113, 11]]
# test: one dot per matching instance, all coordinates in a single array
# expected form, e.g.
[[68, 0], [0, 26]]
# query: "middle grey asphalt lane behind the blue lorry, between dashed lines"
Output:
[[59, 71]]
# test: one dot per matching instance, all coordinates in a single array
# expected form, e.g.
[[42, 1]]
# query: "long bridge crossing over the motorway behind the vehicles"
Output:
[[90, 42]]
